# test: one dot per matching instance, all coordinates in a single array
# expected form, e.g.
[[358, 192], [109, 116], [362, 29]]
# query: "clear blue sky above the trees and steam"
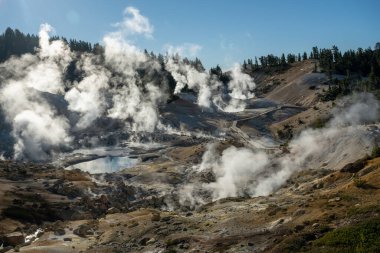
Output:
[[226, 31]]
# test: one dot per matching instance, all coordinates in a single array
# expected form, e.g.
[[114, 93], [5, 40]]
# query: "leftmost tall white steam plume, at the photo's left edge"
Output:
[[37, 128]]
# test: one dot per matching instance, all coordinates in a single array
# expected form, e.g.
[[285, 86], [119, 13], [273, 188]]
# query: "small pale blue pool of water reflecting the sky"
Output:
[[106, 164]]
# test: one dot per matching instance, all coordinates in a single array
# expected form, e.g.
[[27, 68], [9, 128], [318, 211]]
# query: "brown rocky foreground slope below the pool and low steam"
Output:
[[302, 216]]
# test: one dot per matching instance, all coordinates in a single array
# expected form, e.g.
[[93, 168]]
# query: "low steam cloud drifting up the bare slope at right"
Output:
[[242, 171]]
